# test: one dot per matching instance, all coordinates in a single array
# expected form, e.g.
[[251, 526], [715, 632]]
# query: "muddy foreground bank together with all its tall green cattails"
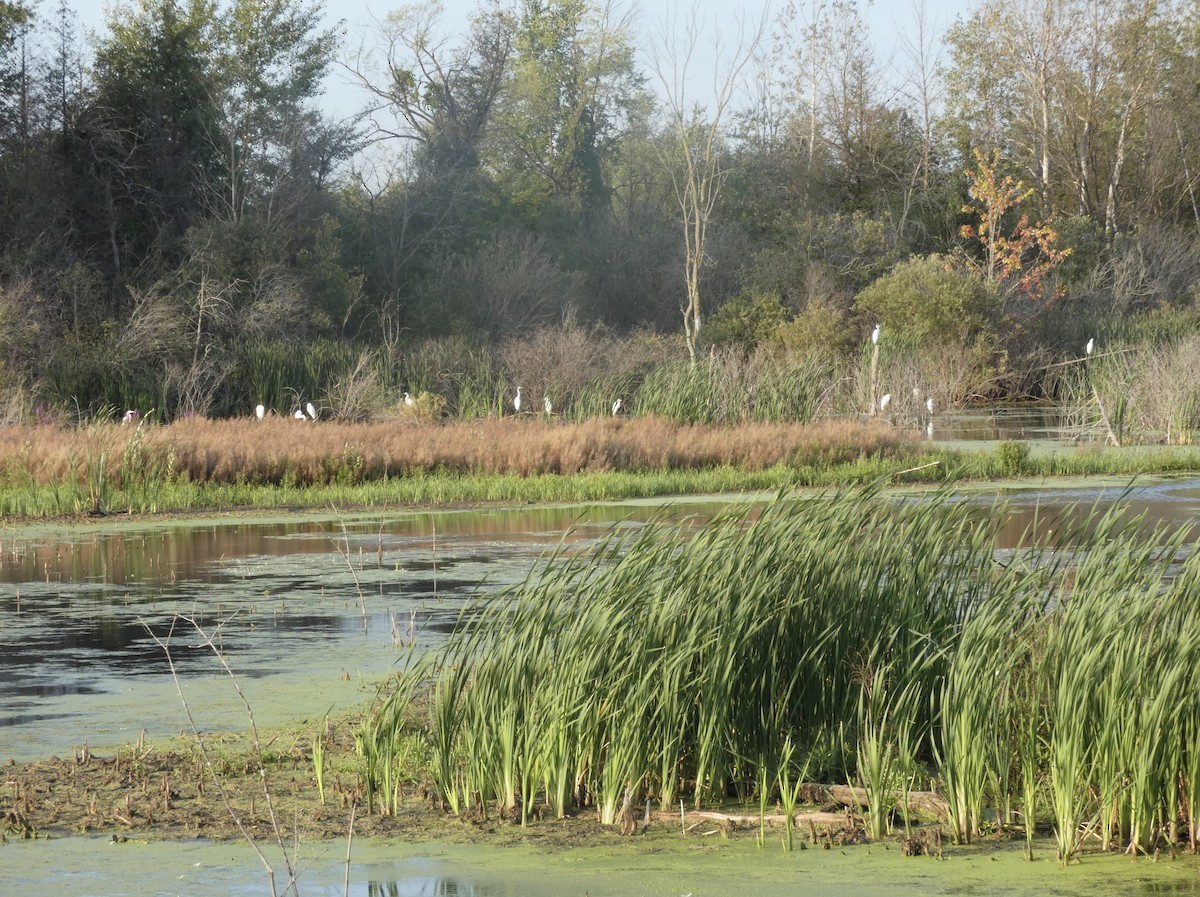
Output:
[[863, 651]]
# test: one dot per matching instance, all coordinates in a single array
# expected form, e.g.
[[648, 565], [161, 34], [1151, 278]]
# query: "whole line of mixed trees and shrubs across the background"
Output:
[[185, 227]]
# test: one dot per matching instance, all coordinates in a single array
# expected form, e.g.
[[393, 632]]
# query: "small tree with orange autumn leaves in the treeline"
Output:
[[1023, 256]]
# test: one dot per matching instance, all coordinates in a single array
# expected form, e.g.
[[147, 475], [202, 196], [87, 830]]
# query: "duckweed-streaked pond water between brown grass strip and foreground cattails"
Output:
[[311, 613]]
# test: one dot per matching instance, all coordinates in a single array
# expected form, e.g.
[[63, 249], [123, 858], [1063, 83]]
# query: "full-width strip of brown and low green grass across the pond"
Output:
[[191, 465]]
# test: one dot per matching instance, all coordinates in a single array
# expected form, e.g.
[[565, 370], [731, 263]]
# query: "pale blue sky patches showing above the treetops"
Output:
[[891, 22]]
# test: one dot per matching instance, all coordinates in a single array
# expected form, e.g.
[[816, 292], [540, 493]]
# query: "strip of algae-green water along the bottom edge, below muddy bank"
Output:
[[657, 865]]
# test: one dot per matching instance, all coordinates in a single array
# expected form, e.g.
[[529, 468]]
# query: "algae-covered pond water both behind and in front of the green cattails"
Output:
[[311, 615]]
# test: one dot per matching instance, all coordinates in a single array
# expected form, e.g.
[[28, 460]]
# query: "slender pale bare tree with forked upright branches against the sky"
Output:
[[697, 168]]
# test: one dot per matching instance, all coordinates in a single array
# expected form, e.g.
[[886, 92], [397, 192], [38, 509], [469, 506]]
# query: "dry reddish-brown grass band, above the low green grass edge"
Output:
[[280, 449]]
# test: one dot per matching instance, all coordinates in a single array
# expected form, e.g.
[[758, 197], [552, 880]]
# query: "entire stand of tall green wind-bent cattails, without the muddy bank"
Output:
[[853, 639]]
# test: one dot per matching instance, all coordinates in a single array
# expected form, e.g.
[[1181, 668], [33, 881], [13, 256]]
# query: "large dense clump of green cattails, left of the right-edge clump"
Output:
[[677, 663]]
